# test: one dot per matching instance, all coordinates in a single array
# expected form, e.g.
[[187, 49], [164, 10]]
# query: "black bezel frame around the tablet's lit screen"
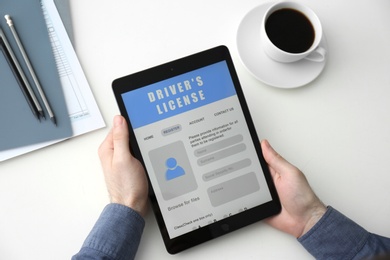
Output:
[[172, 69]]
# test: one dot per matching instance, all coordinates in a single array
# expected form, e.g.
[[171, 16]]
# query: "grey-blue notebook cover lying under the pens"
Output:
[[18, 126]]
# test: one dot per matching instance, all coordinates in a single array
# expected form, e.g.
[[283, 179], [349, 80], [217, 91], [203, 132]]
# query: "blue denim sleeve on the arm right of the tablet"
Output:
[[337, 237]]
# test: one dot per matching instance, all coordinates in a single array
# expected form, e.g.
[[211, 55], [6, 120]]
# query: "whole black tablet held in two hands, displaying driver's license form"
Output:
[[191, 129]]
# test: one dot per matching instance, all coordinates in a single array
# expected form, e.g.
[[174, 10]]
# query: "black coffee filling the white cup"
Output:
[[290, 30]]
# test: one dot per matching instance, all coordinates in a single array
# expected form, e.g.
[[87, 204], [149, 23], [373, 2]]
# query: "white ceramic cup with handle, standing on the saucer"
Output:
[[314, 53]]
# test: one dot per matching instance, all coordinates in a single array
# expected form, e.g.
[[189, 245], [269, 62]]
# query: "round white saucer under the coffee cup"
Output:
[[282, 75]]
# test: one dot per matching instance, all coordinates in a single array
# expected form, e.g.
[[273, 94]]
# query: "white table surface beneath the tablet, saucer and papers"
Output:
[[336, 129]]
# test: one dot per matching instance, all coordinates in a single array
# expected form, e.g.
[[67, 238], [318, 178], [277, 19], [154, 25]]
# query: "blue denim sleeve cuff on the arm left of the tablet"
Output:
[[116, 235]]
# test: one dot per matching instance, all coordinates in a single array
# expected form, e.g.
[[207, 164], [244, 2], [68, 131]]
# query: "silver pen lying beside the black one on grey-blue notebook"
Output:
[[31, 69]]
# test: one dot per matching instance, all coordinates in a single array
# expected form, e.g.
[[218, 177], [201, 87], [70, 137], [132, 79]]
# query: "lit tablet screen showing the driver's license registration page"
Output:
[[198, 150]]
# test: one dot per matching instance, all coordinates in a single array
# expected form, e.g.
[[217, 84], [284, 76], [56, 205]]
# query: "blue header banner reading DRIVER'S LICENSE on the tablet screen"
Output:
[[179, 94]]
